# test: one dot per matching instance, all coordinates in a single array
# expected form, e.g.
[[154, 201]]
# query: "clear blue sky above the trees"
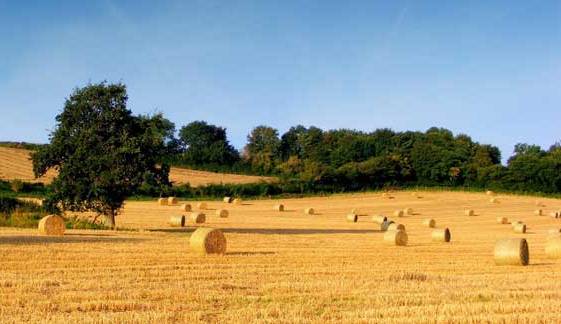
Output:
[[491, 69]]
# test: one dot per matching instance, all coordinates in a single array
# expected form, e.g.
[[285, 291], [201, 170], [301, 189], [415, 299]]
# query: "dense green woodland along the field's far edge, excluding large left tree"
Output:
[[347, 159]]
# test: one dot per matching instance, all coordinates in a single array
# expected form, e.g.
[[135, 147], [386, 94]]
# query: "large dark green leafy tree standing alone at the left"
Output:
[[101, 151]]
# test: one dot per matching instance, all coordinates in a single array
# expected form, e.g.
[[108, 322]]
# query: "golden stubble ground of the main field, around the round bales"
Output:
[[288, 267]]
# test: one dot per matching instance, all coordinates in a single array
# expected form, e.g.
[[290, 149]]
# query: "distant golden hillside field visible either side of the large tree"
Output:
[[15, 164]]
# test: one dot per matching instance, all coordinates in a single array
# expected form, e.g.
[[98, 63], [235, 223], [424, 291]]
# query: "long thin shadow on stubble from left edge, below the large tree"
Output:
[[68, 238]]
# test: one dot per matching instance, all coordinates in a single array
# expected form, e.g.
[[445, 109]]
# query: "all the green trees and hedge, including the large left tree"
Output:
[[104, 154]]
